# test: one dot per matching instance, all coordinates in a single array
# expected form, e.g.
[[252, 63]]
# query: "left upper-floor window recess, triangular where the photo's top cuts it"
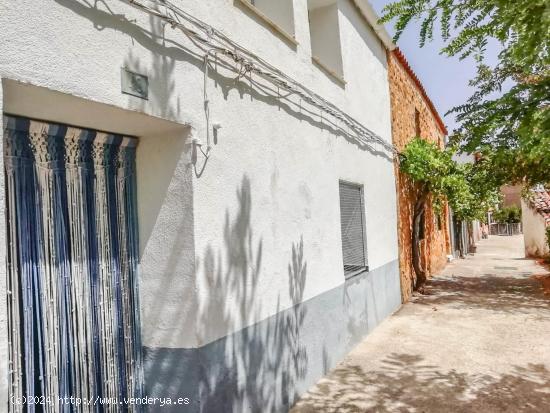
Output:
[[278, 14]]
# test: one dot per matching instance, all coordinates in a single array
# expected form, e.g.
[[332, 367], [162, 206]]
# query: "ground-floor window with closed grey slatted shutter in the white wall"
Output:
[[352, 223]]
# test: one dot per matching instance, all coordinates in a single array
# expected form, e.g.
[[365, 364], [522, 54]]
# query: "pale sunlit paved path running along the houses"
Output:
[[478, 342]]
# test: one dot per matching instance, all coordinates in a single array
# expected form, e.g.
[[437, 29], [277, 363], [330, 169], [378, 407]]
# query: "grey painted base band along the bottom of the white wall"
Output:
[[267, 366]]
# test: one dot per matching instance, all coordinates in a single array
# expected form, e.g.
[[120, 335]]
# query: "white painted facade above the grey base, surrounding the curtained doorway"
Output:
[[216, 236]]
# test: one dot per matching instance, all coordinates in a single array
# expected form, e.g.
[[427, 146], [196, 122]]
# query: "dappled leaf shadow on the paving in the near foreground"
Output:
[[405, 383]]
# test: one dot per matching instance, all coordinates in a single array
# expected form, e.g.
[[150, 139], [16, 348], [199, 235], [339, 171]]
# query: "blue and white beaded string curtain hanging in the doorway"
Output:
[[72, 258]]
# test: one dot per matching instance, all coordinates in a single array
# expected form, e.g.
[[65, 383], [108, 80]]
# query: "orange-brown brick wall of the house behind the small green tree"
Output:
[[407, 97]]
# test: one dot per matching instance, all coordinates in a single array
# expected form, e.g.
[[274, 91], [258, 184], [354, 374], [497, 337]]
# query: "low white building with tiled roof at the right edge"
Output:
[[535, 220]]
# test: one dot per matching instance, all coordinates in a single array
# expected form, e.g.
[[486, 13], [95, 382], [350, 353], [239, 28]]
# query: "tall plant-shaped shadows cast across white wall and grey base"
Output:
[[254, 368]]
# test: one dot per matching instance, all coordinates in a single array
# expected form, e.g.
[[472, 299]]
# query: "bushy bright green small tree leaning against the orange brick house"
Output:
[[469, 189]]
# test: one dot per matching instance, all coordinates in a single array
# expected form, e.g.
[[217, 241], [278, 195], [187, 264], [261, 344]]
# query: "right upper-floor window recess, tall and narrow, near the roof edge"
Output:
[[325, 36]]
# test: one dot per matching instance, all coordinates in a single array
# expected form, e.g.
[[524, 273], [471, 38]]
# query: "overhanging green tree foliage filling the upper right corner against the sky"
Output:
[[507, 119]]
